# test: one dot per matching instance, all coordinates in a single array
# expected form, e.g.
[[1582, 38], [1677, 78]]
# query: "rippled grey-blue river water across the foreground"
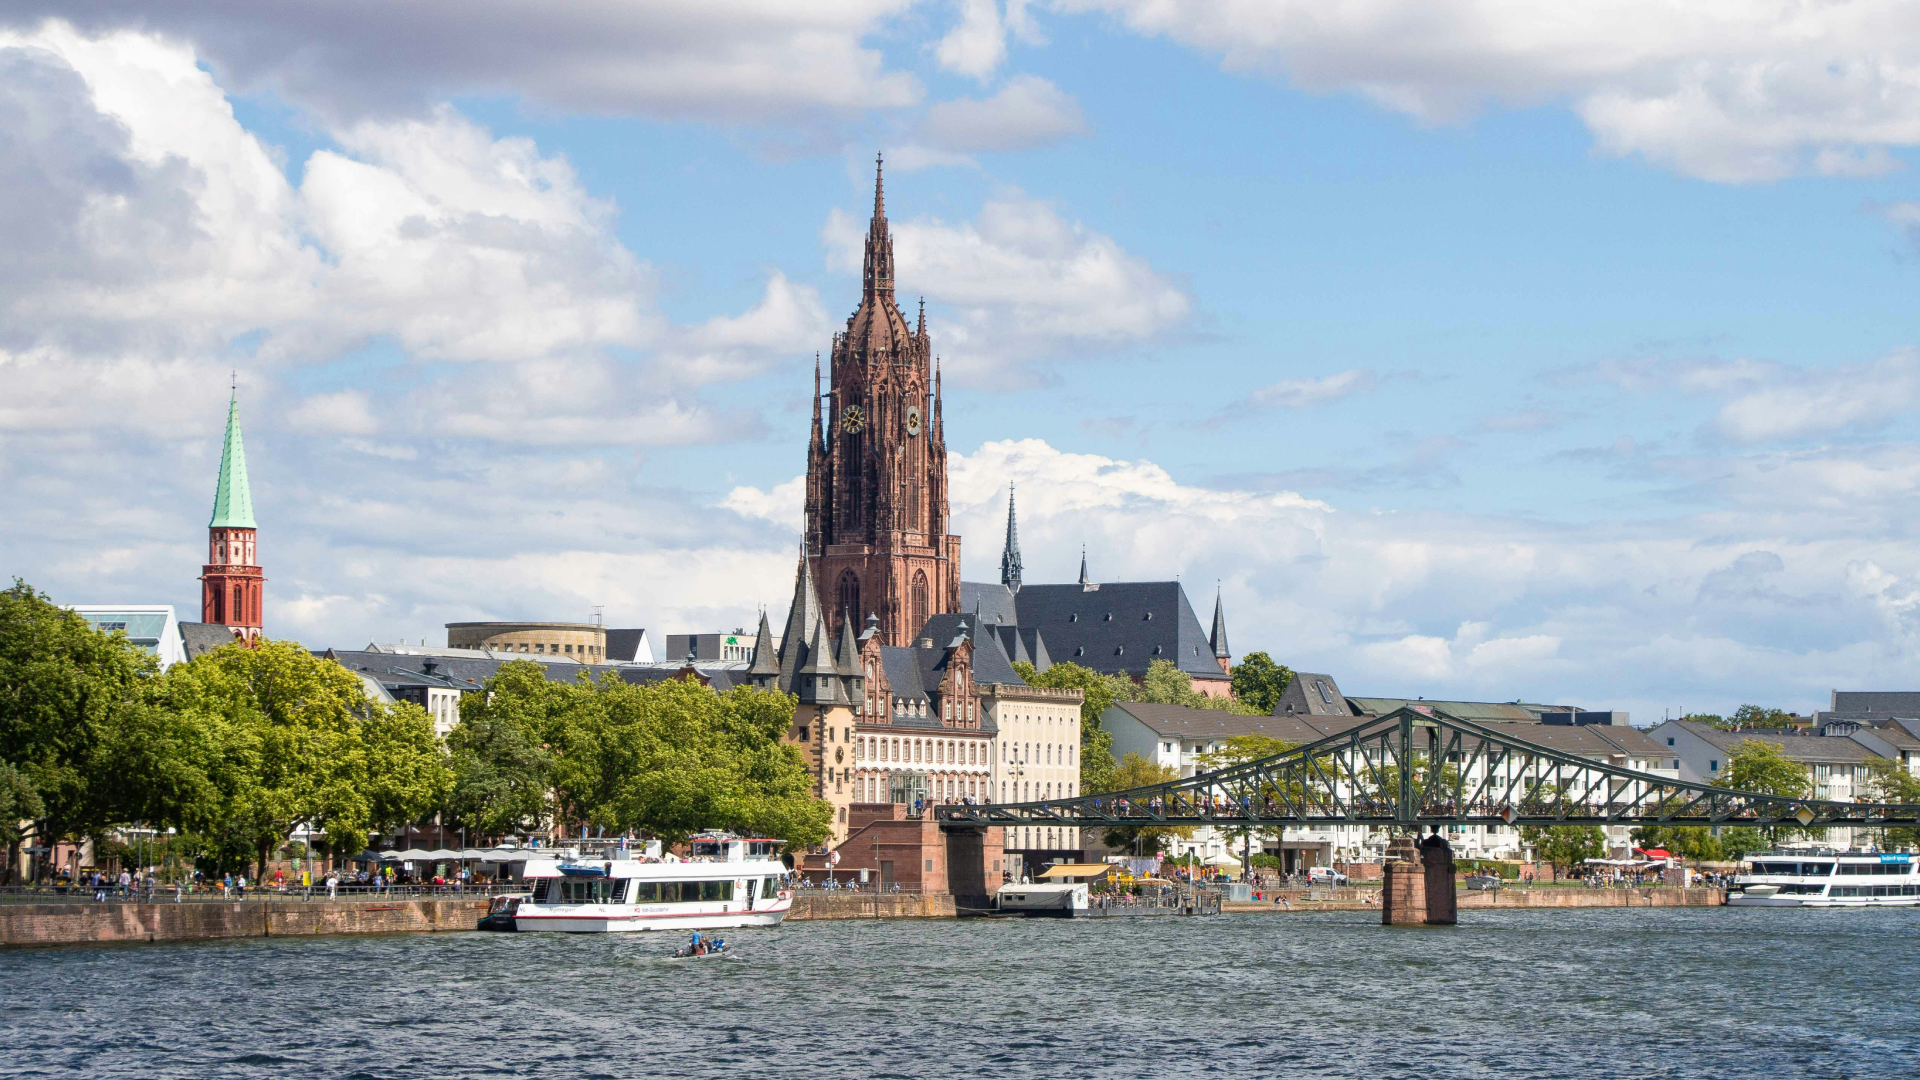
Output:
[[1512, 994]]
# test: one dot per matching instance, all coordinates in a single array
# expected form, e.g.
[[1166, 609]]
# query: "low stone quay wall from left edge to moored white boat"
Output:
[[108, 923]]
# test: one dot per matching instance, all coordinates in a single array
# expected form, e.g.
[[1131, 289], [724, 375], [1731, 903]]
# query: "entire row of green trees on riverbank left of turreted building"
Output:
[[243, 747]]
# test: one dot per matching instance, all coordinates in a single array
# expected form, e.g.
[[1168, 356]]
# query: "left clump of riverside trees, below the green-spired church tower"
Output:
[[235, 750]]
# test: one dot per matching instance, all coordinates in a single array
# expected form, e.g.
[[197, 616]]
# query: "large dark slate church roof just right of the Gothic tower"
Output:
[[1113, 627]]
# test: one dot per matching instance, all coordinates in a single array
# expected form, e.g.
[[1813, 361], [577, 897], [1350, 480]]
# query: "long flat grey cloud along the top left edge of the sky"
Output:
[[740, 61]]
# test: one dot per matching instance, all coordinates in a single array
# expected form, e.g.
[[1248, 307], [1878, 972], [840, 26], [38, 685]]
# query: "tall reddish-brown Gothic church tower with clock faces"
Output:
[[876, 466]]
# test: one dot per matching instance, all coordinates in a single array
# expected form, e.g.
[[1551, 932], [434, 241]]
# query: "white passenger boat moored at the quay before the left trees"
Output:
[[727, 883]]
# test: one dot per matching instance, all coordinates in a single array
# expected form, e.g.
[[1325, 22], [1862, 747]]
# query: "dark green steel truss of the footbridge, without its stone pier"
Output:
[[1383, 773]]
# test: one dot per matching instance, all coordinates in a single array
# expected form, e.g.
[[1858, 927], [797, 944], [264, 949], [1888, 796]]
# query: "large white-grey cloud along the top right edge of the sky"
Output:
[[1721, 89]]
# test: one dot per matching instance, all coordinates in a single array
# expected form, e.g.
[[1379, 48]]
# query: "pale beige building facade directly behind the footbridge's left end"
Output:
[[1036, 756]]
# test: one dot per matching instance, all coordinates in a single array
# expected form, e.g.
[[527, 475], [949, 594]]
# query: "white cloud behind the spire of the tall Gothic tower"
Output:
[[1017, 285]]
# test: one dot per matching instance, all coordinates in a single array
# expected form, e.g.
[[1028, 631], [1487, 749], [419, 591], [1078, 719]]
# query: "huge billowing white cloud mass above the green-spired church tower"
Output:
[[156, 243]]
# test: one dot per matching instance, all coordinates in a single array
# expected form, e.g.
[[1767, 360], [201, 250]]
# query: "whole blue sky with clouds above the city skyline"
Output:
[[1464, 349]]
